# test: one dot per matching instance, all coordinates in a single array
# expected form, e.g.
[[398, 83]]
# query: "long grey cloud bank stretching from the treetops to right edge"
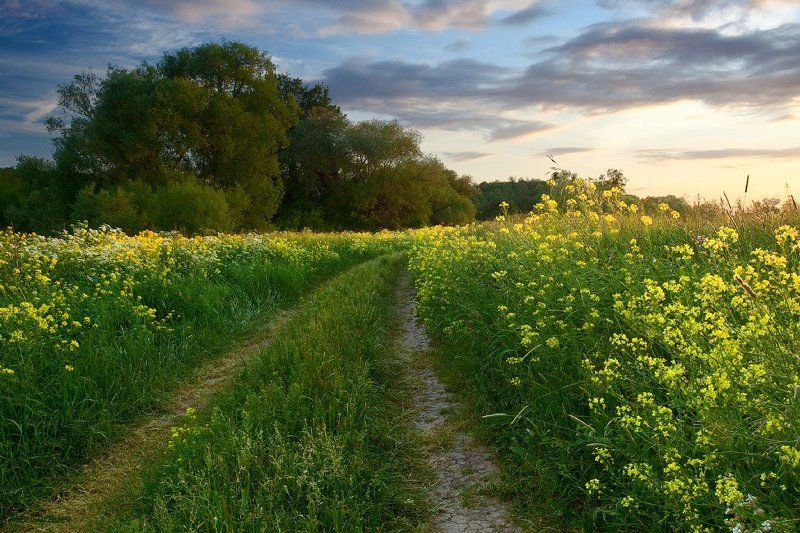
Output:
[[607, 67]]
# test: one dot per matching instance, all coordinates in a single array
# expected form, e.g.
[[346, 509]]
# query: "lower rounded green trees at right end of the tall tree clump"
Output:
[[367, 175]]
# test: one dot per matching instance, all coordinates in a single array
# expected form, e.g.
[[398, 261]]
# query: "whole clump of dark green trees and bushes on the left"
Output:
[[212, 138]]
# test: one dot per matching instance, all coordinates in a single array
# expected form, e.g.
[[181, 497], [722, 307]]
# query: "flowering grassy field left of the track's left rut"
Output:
[[96, 325]]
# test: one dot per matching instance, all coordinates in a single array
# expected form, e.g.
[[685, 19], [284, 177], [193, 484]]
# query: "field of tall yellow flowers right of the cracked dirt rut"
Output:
[[635, 371]]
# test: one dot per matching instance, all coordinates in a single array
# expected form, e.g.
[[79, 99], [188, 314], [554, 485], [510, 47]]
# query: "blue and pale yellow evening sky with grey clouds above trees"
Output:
[[687, 97]]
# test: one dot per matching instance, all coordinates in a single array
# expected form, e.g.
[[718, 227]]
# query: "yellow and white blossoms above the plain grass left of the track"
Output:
[[54, 290]]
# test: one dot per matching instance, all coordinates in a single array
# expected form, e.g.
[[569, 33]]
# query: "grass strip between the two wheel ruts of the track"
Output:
[[308, 439]]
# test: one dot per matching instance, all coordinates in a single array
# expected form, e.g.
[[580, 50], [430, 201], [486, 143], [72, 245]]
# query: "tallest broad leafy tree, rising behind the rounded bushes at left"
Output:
[[212, 114]]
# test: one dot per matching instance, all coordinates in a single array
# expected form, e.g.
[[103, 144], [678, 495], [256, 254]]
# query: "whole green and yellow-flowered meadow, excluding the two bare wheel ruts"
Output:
[[630, 370]]
